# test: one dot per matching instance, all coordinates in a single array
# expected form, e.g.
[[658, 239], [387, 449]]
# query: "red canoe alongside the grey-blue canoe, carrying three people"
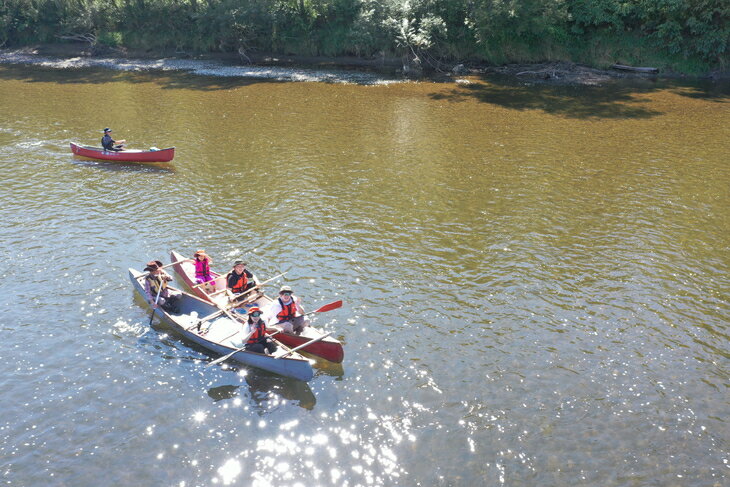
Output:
[[327, 348]]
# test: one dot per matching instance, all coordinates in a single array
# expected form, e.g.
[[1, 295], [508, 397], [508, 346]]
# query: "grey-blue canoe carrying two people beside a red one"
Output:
[[220, 333]]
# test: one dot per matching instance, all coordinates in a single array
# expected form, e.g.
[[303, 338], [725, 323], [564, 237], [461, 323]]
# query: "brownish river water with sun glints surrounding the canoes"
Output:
[[535, 281]]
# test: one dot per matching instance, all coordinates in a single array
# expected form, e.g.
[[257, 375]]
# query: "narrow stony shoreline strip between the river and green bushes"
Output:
[[311, 68]]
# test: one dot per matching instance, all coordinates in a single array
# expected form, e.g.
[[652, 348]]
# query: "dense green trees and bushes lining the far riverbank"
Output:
[[681, 35]]
